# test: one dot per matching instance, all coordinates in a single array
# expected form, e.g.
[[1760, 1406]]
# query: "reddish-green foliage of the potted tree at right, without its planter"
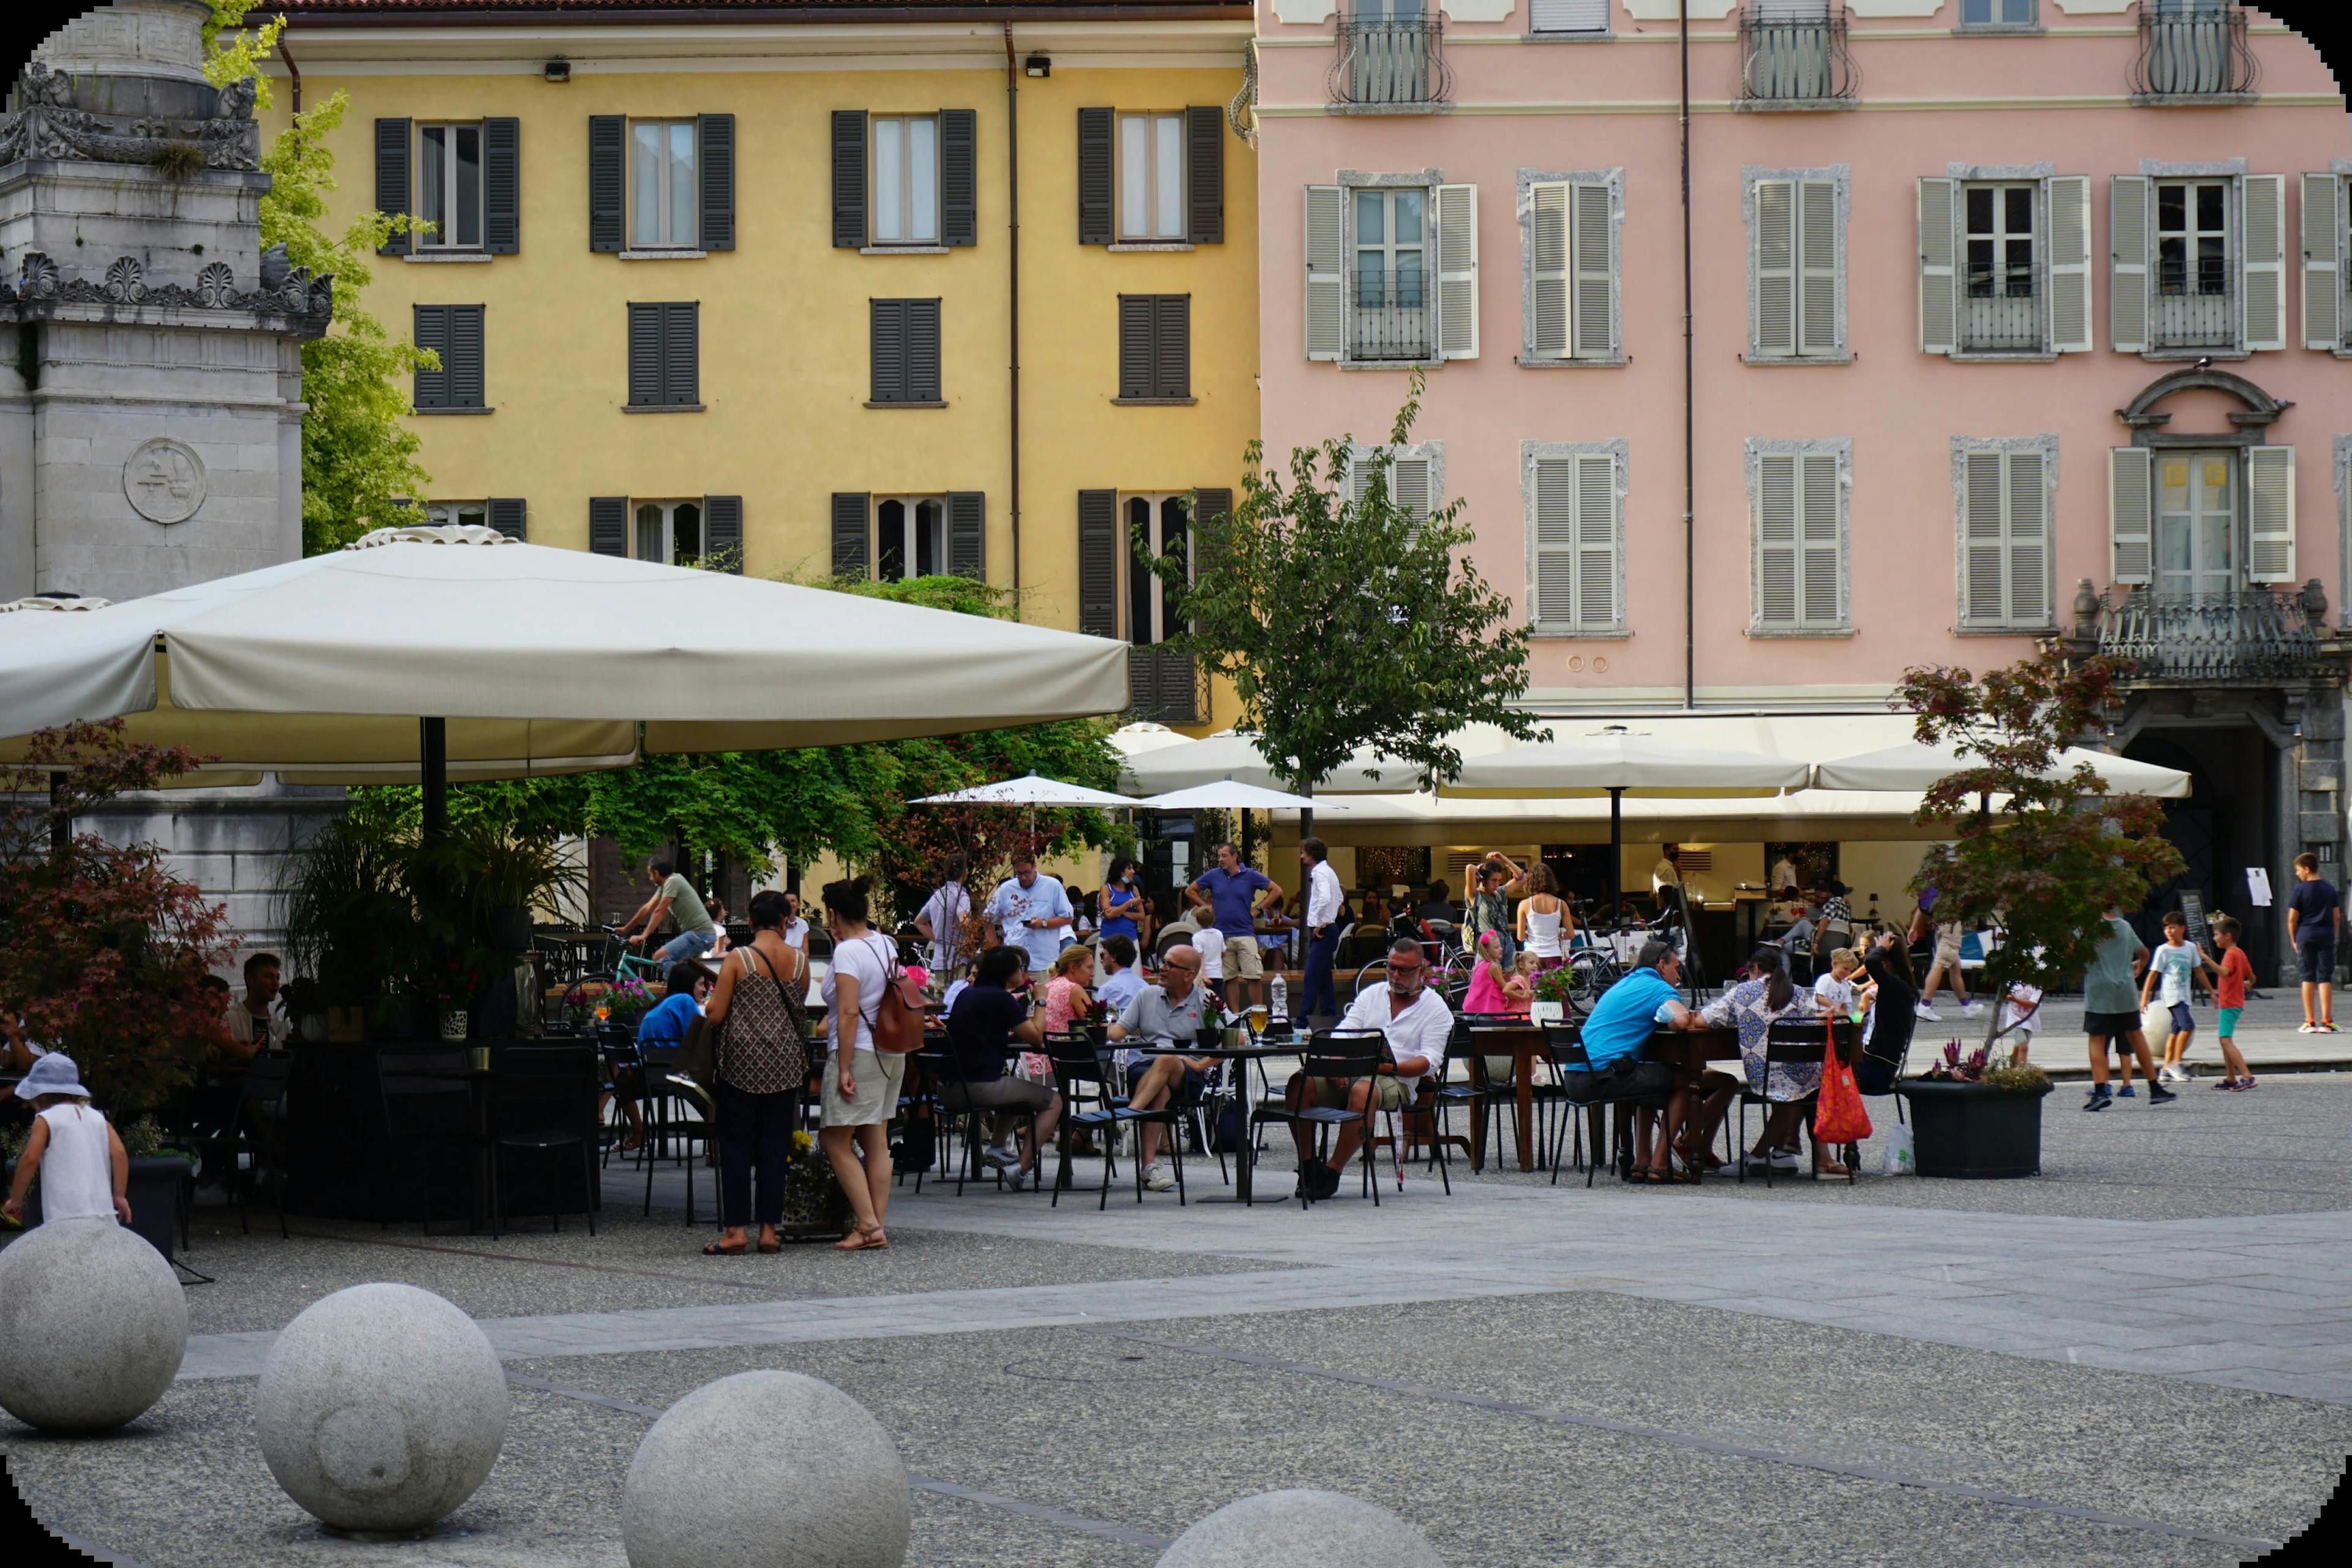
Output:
[[2038, 850]]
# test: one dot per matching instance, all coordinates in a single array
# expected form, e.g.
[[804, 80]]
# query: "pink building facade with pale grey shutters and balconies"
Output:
[[2012, 321]]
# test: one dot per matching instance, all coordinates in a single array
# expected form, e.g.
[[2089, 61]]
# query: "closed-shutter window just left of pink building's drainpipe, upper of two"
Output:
[[1570, 267]]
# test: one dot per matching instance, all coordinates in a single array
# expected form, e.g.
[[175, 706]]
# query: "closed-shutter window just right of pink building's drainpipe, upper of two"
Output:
[[1798, 267]]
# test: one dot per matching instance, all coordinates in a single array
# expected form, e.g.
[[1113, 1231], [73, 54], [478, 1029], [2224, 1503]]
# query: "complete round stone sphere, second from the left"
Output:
[[382, 1409]]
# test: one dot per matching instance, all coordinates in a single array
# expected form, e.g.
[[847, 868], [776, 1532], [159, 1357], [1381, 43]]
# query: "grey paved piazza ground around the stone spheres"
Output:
[[2141, 1358]]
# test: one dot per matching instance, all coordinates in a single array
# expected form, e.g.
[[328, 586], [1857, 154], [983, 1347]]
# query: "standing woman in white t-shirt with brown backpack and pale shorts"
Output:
[[862, 1085]]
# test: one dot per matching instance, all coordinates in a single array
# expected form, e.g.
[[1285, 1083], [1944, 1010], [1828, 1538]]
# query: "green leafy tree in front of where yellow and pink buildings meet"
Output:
[[1349, 624]]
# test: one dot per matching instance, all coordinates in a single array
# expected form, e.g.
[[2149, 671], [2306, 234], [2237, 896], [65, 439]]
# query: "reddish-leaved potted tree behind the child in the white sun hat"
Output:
[[105, 951]]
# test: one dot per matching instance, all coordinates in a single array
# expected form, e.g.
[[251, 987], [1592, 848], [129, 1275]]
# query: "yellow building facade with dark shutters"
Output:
[[747, 281]]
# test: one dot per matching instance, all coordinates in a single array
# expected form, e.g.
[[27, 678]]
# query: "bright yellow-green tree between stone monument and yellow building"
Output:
[[359, 460]]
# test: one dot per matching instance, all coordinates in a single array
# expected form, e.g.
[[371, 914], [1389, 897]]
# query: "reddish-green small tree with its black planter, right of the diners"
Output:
[[2036, 847]]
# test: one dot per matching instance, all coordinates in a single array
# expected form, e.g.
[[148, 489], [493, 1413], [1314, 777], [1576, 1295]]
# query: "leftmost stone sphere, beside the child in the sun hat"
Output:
[[93, 1325]]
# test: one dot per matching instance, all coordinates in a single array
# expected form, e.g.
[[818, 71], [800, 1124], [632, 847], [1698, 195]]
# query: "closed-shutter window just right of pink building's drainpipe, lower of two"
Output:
[[1798, 497]]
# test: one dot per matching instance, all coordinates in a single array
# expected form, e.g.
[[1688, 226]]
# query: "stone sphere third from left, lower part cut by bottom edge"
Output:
[[766, 1470]]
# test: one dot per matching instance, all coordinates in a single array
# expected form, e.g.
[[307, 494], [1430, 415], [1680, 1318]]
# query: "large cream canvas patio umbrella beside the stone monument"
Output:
[[460, 652]]
